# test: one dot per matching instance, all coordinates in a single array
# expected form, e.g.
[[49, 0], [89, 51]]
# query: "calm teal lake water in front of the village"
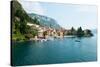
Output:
[[65, 50]]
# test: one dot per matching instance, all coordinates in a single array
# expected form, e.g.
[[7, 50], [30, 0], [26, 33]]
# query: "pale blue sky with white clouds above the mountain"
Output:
[[66, 15]]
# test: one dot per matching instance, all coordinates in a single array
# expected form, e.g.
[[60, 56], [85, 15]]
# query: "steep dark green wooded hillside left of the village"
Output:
[[20, 29]]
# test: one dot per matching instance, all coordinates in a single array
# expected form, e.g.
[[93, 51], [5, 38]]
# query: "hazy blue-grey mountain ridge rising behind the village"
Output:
[[45, 21]]
